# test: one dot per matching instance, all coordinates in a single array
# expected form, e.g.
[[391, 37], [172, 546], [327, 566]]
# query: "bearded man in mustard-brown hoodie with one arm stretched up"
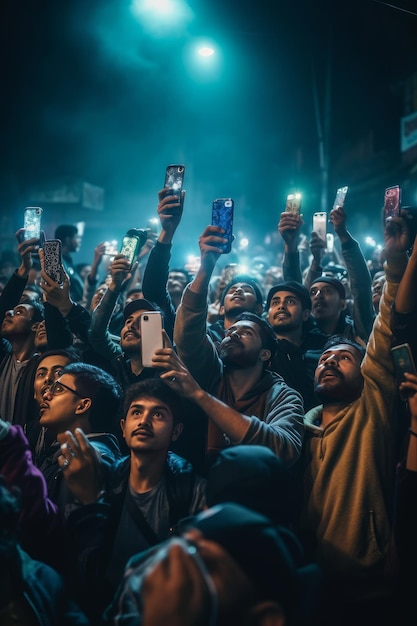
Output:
[[349, 459]]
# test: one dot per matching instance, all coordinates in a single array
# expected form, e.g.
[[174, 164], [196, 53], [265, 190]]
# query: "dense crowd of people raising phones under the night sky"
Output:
[[263, 470]]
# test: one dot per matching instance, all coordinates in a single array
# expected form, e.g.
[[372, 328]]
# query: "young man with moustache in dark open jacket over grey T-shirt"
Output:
[[146, 494]]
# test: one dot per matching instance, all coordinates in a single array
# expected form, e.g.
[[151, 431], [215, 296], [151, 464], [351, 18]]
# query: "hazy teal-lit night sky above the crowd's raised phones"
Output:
[[91, 93]]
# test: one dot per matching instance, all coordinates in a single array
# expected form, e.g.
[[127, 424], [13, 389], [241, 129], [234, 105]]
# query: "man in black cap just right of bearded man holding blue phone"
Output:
[[300, 342]]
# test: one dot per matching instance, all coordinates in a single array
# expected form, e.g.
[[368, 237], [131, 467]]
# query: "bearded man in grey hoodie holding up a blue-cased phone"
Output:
[[256, 406]]
